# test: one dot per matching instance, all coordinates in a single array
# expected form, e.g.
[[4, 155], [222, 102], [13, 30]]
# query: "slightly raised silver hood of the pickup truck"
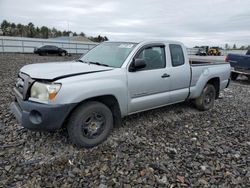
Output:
[[54, 70]]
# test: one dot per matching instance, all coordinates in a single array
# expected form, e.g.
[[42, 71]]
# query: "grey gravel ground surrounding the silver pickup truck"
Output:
[[174, 146]]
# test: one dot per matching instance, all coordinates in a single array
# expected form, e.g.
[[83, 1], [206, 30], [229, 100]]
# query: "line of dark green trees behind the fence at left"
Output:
[[32, 31]]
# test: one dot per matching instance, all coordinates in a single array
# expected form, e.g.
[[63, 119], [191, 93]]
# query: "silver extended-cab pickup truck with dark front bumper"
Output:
[[90, 96]]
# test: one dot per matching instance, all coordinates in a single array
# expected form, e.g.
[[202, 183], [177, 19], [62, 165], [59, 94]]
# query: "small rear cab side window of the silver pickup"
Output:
[[177, 55]]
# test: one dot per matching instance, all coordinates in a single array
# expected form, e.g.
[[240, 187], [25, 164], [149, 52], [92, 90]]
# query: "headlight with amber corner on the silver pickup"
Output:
[[43, 91]]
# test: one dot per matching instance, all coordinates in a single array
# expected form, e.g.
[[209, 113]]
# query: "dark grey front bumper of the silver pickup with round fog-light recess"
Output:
[[40, 117]]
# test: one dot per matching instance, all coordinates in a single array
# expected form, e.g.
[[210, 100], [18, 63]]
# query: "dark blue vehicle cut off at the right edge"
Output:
[[240, 64]]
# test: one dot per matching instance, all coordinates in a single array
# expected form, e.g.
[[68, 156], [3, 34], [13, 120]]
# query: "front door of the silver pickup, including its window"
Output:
[[148, 86]]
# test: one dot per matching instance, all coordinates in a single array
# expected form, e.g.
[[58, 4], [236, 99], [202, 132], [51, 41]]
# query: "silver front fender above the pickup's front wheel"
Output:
[[79, 88]]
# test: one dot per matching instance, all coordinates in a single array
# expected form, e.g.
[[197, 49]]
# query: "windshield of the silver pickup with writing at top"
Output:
[[111, 54]]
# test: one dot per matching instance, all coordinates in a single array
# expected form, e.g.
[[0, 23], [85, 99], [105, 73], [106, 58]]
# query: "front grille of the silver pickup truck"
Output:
[[23, 84]]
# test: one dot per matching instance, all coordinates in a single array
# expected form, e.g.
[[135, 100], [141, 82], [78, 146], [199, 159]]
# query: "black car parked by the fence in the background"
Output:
[[49, 49]]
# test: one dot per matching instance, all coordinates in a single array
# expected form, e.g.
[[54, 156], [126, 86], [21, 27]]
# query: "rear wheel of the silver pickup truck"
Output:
[[206, 100]]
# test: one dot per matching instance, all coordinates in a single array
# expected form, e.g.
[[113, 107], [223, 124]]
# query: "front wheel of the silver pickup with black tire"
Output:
[[84, 122]]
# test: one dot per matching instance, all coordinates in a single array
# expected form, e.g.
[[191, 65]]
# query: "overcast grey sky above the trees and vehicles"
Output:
[[194, 22]]
